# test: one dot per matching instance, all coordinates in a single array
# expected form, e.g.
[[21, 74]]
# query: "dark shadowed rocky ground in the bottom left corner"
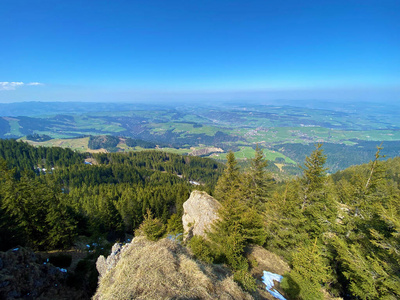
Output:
[[24, 274]]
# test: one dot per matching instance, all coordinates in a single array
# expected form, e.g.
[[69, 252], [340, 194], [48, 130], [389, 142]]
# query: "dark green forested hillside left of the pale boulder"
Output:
[[49, 195]]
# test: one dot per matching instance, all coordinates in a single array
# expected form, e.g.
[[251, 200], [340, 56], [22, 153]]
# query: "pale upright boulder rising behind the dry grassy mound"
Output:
[[199, 211]]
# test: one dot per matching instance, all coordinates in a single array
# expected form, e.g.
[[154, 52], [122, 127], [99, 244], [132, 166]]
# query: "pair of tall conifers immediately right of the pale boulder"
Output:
[[239, 223]]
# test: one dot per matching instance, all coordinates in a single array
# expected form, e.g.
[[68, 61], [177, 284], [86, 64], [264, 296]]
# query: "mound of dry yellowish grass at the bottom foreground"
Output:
[[165, 270]]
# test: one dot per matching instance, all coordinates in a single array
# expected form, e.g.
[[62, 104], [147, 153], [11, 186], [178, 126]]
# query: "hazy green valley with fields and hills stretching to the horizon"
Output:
[[350, 132]]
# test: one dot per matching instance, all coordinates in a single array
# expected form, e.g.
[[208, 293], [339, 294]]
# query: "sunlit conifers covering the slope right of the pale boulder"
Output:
[[340, 233]]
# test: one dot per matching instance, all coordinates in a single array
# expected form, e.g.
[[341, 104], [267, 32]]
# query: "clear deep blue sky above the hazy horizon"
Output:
[[103, 50]]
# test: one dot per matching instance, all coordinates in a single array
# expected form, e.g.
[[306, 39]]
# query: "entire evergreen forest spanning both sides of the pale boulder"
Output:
[[340, 232]]
